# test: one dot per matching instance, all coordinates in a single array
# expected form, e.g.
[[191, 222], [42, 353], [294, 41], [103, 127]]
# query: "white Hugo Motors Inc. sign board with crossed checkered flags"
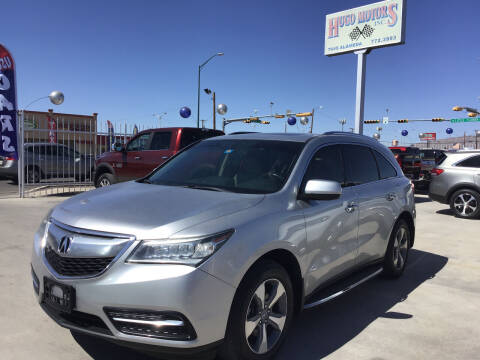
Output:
[[369, 26]]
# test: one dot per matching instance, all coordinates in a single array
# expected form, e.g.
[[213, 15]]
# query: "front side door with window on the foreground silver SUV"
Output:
[[331, 225]]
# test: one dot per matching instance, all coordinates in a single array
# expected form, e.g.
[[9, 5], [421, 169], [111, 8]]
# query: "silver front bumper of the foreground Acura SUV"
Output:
[[201, 298]]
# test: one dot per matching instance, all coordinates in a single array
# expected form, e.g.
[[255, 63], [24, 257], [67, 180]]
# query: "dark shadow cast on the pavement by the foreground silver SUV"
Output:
[[320, 331]]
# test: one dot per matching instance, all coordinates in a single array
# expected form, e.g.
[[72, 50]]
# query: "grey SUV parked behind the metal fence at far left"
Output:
[[45, 161]]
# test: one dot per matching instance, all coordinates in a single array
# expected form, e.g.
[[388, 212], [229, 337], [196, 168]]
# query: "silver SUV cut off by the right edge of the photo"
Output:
[[456, 181]]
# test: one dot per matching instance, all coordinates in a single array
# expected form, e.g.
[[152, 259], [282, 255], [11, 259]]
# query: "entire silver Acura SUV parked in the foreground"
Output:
[[223, 244]]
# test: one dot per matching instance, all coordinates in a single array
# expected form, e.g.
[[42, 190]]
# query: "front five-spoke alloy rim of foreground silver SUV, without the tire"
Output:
[[266, 316]]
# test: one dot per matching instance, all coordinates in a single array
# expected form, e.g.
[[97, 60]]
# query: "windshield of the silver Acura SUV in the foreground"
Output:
[[243, 166]]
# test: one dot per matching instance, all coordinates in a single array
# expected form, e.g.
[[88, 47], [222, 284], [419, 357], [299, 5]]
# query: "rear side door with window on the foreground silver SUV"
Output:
[[377, 200]]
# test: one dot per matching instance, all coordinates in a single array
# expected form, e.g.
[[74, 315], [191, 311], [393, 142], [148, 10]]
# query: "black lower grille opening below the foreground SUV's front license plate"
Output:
[[77, 319]]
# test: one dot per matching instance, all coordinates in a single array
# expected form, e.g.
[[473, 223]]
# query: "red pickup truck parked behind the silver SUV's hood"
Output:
[[145, 152]]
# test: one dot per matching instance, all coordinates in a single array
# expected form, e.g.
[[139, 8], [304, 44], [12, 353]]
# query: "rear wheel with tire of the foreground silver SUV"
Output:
[[397, 251]]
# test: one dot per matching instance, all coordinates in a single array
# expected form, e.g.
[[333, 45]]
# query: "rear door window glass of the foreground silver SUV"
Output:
[[360, 165]]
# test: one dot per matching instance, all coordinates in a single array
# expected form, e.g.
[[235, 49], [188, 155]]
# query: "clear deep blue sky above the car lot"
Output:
[[129, 60]]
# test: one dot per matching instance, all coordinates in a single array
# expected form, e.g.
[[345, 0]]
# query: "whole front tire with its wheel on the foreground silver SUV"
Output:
[[275, 318]]
